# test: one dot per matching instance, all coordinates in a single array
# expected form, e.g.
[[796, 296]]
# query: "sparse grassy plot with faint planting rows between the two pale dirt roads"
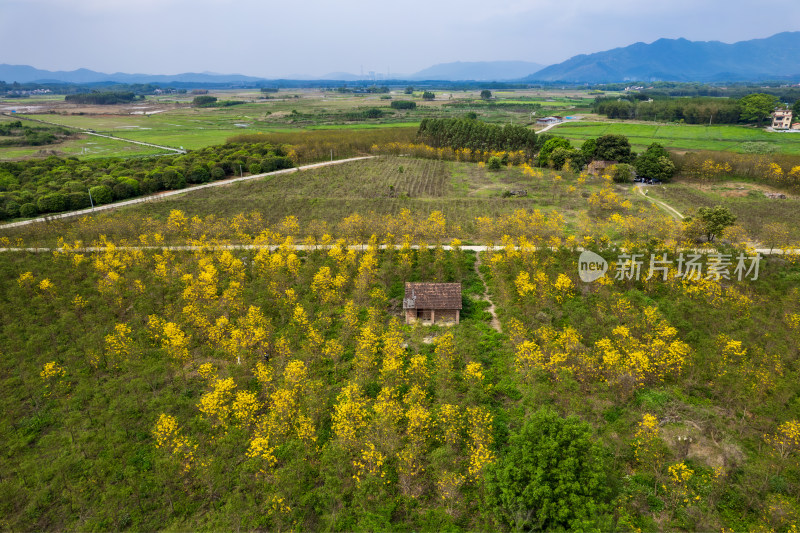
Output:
[[379, 187]]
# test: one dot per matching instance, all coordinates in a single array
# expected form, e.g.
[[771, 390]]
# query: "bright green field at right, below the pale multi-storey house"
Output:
[[683, 136]]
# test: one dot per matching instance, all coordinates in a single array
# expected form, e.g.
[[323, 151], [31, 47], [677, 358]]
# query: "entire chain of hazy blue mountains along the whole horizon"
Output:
[[773, 58]]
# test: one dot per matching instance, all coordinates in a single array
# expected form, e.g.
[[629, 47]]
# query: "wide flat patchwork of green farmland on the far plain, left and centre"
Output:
[[173, 122]]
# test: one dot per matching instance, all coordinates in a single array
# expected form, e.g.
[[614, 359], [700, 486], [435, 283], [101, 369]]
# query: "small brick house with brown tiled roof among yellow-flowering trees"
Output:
[[432, 303]]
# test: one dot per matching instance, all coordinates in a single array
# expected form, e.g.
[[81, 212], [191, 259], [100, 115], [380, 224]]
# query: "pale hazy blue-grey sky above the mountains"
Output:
[[272, 39]]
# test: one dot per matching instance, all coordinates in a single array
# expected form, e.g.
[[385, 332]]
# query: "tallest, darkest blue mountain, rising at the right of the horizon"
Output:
[[772, 58]]
